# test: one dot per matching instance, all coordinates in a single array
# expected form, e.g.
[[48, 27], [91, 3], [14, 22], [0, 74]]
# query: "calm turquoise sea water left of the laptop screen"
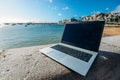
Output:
[[15, 36]]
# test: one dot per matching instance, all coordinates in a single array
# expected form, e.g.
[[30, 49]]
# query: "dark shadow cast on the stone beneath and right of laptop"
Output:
[[105, 67]]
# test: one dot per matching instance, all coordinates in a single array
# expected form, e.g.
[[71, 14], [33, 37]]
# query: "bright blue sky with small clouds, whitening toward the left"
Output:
[[53, 10]]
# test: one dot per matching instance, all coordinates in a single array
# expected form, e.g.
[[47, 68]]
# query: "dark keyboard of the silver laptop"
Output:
[[72, 52]]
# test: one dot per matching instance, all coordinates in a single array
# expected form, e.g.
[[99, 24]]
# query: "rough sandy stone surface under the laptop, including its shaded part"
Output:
[[28, 63]]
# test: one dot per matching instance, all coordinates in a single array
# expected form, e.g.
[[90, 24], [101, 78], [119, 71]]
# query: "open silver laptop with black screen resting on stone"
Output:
[[78, 47]]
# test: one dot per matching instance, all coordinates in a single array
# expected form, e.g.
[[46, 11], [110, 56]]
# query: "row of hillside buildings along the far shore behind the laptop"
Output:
[[109, 18]]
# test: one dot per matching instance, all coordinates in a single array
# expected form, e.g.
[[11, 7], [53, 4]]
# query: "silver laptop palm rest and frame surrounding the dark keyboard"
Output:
[[77, 65]]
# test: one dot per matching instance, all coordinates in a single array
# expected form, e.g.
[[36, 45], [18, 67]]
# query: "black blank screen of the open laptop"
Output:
[[86, 35]]
